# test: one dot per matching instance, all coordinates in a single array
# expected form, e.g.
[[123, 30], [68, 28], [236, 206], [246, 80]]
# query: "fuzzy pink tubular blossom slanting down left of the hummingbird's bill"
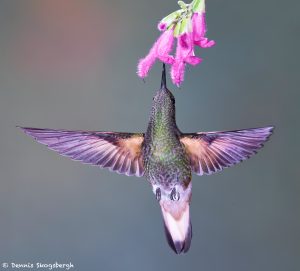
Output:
[[160, 49]]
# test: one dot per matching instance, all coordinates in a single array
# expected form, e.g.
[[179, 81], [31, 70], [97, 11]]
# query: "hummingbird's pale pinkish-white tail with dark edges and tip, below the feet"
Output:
[[178, 227]]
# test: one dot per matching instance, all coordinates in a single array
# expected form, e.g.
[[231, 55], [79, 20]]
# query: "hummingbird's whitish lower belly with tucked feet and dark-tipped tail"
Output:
[[175, 206]]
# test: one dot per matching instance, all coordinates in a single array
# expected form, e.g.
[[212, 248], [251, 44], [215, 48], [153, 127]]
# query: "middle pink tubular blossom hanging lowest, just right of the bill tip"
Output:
[[184, 54]]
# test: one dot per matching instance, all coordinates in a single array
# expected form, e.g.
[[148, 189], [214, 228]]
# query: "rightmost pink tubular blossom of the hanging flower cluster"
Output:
[[199, 31]]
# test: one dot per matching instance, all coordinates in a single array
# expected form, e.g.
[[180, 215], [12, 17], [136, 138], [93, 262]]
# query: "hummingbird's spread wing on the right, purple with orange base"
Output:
[[212, 151]]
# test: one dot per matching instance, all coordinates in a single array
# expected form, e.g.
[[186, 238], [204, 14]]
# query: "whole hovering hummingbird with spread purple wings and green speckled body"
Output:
[[164, 155]]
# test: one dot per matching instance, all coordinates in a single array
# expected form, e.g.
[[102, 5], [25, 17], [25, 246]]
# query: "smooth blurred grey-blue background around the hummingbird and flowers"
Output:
[[72, 64]]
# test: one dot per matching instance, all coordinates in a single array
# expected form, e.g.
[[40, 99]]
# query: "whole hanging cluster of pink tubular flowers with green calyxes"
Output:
[[188, 25]]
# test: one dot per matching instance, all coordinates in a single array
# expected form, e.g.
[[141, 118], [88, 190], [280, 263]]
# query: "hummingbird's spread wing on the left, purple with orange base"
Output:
[[120, 152]]
